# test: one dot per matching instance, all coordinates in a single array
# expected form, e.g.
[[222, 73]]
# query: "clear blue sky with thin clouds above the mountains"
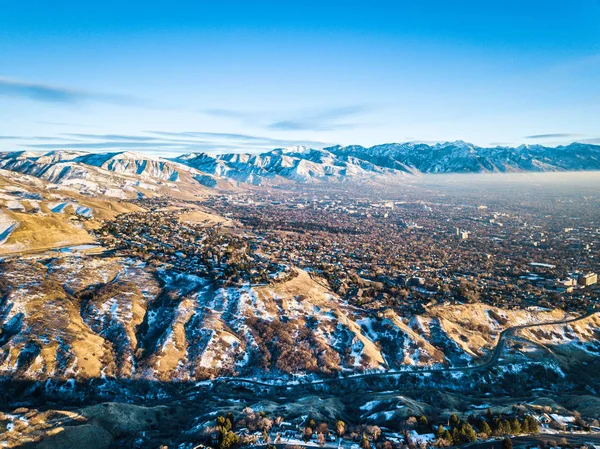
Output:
[[180, 76]]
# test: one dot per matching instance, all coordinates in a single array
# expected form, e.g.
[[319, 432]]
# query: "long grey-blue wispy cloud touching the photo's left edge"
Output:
[[55, 94]]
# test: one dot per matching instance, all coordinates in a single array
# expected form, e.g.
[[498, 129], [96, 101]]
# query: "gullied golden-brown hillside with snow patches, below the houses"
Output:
[[86, 316]]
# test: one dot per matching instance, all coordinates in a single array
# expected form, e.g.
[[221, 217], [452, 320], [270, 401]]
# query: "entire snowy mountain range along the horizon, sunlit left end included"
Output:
[[129, 174]]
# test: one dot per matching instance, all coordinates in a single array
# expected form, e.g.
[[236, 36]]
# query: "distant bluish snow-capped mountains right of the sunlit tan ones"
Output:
[[380, 162]]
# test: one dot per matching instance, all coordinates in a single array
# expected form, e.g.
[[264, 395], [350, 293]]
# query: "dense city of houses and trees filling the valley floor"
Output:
[[393, 253]]
